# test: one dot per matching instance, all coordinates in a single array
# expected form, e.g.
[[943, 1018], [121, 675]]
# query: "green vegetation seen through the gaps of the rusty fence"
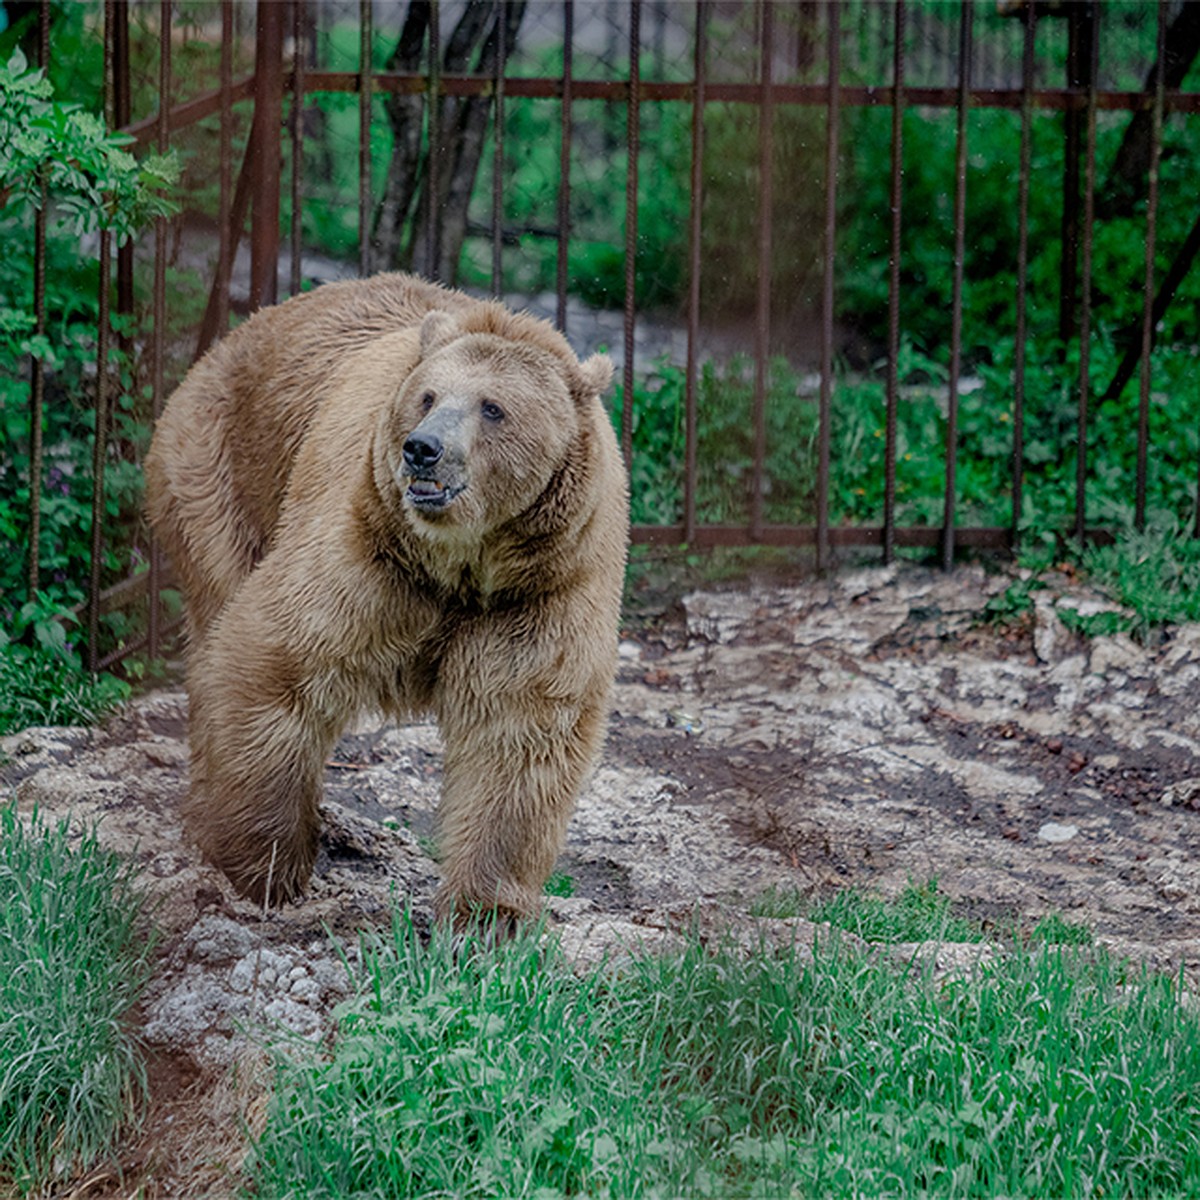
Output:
[[599, 169]]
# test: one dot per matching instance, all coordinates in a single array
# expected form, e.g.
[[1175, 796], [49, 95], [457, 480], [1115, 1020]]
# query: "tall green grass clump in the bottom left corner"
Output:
[[74, 961]]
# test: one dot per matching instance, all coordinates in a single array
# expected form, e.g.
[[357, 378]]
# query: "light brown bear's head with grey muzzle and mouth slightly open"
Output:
[[489, 417]]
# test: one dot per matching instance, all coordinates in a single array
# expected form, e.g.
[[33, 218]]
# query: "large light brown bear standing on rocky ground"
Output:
[[388, 496]]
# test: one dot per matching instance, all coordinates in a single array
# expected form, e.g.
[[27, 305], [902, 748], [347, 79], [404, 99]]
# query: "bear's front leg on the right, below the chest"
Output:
[[514, 767]]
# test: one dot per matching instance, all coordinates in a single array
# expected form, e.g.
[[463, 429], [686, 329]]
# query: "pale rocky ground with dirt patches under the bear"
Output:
[[862, 730]]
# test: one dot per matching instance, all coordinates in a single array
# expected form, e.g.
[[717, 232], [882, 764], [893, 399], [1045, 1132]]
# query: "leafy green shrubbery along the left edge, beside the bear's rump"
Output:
[[91, 183]]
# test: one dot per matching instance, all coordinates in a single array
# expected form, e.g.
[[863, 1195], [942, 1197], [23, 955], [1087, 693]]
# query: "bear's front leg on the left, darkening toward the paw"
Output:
[[259, 747]]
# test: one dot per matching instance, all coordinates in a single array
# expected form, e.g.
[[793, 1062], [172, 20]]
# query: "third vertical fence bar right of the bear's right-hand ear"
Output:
[[763, 309]]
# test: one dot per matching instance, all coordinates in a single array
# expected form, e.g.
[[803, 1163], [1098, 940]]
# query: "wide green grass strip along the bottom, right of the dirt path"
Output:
[[1051, 1072]]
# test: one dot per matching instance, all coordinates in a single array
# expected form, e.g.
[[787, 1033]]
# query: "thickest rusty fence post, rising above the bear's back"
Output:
[[265, 154]]
